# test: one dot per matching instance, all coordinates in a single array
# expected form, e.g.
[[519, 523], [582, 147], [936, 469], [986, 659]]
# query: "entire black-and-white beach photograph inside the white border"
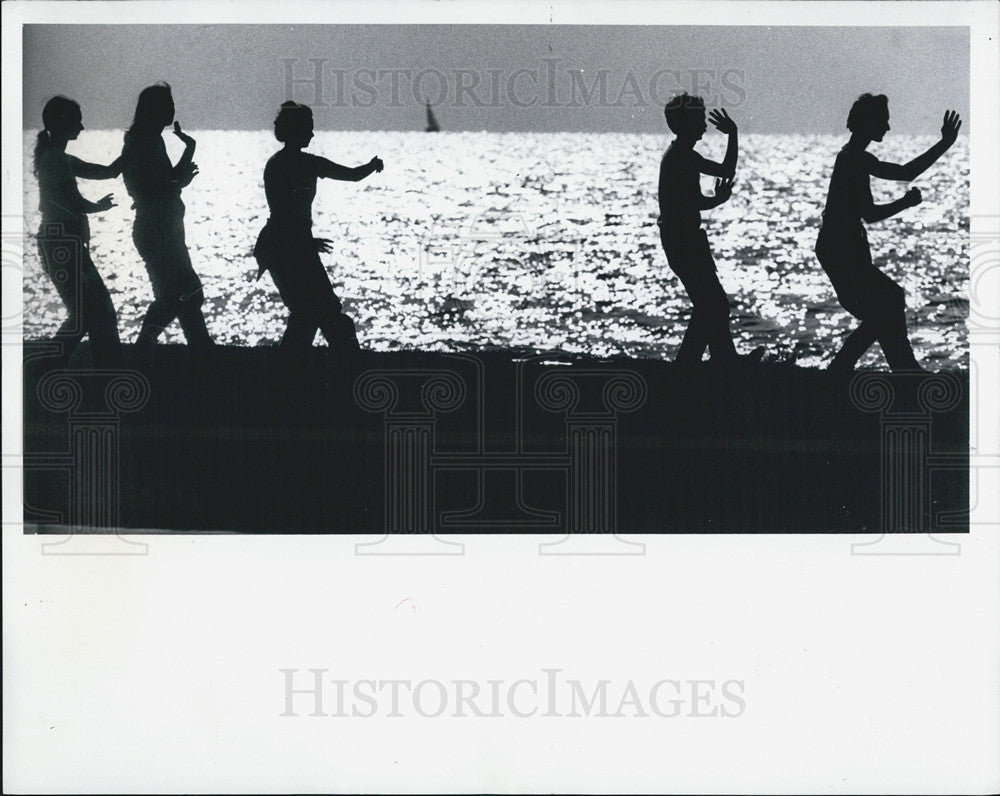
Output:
[[429, 279]]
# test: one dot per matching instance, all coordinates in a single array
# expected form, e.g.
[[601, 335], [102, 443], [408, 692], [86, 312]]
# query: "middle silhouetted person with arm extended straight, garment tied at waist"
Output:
[[286, 246]]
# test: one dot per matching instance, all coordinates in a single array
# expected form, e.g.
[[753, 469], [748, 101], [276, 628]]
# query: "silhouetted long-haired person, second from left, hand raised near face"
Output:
[[158, 230]]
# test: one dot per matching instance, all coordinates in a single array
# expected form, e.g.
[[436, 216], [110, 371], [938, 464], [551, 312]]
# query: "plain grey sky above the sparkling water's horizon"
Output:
[[500, 77]]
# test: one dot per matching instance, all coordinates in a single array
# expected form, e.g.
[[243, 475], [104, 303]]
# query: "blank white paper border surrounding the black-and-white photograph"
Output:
[[163, 672]]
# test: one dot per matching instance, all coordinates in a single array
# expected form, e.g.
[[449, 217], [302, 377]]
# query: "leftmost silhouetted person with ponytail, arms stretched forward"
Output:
[[64, 236]]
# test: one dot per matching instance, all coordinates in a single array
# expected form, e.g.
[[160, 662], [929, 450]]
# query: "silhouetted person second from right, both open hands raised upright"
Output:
[[684, 241]]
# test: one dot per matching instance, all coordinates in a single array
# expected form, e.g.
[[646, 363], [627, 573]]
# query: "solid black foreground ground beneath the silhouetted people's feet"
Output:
[[495, 441]]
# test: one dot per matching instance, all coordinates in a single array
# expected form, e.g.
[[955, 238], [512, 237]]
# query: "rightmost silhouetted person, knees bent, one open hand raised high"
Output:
[[842, 246]]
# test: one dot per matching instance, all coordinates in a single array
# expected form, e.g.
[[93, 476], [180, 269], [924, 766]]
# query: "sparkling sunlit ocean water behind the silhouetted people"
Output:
[[471, 241]]
